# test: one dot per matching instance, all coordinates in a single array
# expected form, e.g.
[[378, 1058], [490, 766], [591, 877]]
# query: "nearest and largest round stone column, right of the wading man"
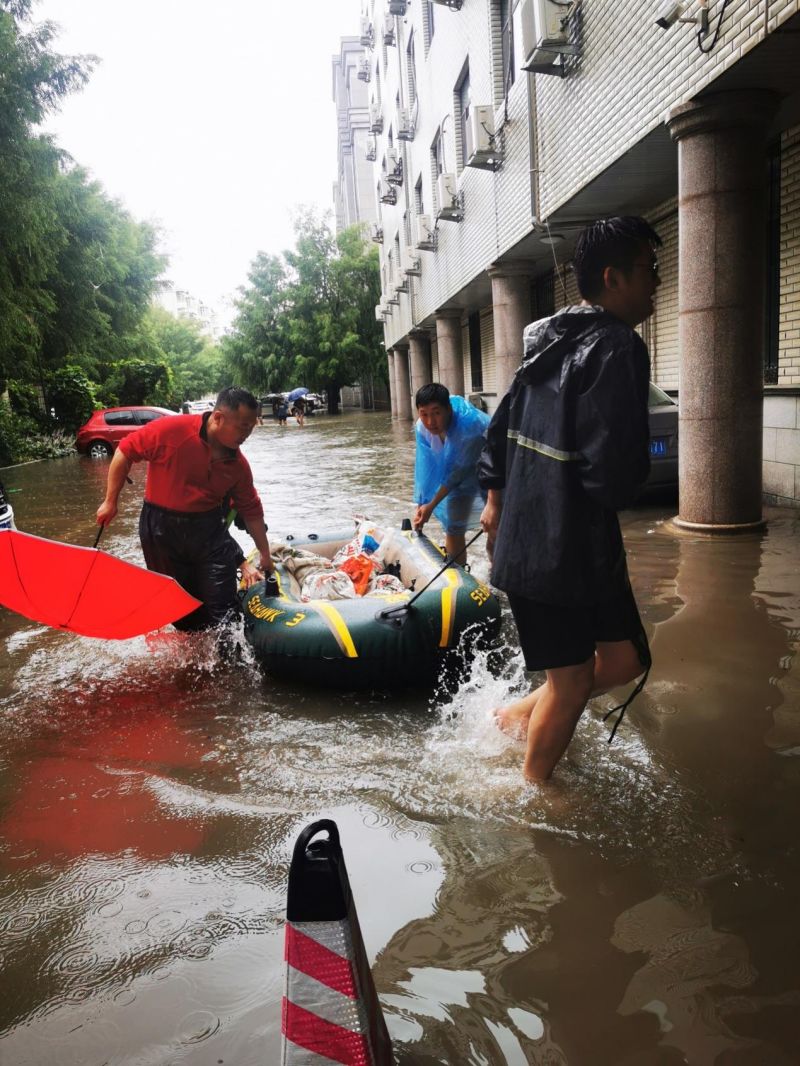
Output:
[[722, 300]]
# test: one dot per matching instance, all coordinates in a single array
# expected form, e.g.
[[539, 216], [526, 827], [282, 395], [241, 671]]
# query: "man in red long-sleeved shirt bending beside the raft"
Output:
[[194, 466]]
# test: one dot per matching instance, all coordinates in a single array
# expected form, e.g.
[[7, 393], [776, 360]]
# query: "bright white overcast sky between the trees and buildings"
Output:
[[216, 120]]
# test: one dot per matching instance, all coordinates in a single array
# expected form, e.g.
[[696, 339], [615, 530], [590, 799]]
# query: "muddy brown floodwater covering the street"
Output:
[[642, 911]]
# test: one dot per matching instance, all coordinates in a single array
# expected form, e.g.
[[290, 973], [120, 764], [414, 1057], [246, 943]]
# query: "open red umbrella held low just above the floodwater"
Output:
[[85, 590]]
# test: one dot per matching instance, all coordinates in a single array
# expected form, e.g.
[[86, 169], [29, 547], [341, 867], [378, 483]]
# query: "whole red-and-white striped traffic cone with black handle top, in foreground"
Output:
[[331, 1011]]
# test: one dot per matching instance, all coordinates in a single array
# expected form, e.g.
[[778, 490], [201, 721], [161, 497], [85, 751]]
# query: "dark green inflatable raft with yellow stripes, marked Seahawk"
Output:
[[377, 641]]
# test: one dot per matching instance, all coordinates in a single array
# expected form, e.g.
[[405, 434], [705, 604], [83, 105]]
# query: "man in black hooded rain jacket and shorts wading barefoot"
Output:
[[567, 449]]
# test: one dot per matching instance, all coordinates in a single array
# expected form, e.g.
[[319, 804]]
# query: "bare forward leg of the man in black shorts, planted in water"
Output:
[[555, 717]]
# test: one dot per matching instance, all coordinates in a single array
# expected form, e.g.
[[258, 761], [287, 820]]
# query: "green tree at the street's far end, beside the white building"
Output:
[[308, 317]]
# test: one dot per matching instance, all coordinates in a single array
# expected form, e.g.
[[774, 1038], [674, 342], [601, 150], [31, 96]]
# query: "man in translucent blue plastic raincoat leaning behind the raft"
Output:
[[451, 437]]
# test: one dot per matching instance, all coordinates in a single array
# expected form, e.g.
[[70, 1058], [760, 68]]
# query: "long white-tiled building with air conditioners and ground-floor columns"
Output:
[[502, 127]]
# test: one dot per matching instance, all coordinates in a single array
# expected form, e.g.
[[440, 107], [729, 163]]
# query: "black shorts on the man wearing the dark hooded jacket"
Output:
[[553, 637]]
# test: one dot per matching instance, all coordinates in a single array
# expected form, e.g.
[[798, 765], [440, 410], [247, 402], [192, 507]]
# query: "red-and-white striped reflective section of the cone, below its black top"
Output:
[[331, 1012]]
